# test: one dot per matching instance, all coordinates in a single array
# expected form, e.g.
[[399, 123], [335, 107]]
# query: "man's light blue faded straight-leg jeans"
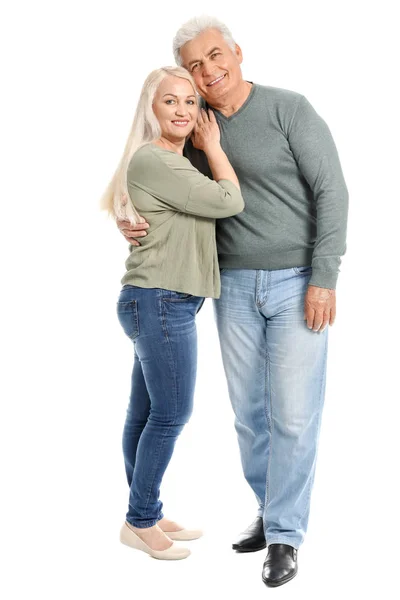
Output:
[[275, 368]]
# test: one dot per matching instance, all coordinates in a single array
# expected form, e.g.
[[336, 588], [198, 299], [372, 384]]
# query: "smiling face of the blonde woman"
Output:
[[175, 106]]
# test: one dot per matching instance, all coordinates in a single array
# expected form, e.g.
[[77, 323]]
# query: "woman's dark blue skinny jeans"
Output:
[[161, 324]]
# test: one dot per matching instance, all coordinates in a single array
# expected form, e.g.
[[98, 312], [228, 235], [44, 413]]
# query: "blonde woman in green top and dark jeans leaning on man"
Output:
[[164, 285]]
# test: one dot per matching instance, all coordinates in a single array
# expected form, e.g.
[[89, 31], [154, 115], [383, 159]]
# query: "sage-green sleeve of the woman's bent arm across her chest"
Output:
[[173, 180]]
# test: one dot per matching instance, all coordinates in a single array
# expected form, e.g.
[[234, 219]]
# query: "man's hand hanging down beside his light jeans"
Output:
[[319, 307]]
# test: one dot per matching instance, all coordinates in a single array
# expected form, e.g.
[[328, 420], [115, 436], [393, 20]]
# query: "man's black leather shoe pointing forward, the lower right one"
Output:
[[280, 565]]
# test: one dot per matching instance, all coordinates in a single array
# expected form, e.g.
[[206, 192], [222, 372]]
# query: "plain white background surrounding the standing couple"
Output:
[[71, 74]]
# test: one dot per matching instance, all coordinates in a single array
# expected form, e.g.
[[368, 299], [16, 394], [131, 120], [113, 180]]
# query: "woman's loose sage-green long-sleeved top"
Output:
[[180, 204]]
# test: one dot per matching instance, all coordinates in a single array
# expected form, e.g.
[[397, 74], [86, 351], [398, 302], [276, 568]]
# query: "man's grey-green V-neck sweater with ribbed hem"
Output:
[[292, 184]]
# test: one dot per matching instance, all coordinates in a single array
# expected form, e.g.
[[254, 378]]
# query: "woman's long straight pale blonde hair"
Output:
[[145, 129]]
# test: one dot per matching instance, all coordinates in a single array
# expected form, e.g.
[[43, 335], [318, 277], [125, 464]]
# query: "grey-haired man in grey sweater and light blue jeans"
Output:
[[279, 263]]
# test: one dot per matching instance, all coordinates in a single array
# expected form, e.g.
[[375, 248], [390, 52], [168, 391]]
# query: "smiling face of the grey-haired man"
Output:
[[213, 65]]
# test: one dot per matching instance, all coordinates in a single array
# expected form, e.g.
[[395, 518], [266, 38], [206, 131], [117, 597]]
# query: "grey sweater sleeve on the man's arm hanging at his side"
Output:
[[315, 153]]
